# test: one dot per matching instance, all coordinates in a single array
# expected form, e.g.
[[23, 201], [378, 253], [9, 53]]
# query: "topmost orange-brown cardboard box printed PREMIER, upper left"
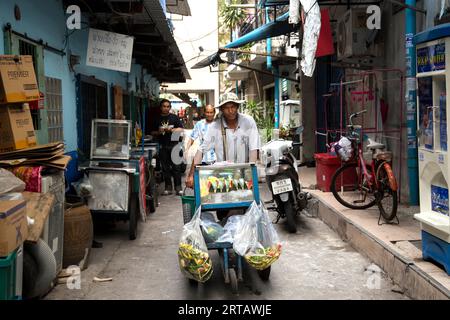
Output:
[[17, 79]]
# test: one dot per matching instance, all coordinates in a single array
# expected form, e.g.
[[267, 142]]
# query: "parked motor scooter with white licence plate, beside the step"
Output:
[[282, 177]]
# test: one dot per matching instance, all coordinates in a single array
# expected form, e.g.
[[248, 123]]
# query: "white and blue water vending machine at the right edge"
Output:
[[433, 78]]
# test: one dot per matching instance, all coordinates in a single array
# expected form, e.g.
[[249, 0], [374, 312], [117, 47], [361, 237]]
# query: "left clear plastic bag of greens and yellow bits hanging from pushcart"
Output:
[[193, 258]]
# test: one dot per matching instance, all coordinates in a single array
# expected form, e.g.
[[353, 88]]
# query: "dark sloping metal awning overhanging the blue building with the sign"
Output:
[[154, 45]]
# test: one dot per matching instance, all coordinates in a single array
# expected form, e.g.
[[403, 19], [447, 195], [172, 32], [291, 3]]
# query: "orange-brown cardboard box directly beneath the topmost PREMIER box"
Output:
[[16, 128]]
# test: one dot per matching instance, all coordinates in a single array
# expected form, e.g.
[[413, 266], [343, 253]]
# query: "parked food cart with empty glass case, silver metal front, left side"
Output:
[[113, 175]]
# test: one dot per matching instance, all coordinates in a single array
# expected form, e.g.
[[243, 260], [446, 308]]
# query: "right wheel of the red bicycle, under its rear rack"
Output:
[[388, 196]]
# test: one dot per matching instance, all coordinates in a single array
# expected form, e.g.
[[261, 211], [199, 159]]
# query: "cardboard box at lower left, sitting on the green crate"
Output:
[[13, 225]]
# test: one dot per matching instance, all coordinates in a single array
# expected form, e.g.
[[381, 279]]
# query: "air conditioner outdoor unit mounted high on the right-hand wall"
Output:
[[353, 36]]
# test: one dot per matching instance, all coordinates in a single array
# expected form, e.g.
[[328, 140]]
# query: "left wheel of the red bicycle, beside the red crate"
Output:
[[350, 187]]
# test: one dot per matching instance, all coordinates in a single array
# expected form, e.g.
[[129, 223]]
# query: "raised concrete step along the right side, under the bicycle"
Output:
[[395, 248]]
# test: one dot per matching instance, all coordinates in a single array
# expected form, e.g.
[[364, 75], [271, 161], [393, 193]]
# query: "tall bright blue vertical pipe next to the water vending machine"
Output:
[[411, 103]]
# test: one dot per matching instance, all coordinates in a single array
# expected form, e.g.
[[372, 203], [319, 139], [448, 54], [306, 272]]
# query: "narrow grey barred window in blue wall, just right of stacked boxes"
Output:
[[53, 96]]
